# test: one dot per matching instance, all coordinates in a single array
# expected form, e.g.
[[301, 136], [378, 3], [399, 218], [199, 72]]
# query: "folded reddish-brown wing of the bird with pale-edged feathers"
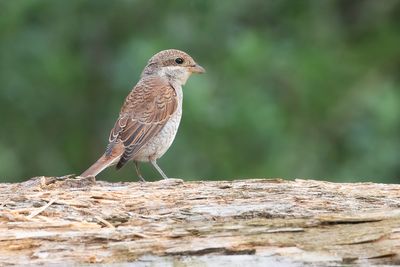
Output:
[[145, 112]]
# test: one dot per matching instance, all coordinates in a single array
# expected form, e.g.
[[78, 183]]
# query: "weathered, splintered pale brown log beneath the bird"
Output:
[[49, 220]]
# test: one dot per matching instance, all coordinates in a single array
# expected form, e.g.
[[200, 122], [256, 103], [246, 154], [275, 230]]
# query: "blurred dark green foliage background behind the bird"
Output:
[[293, 89]]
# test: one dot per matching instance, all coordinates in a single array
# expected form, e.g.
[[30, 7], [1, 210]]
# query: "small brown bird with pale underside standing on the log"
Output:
[[151, 114]]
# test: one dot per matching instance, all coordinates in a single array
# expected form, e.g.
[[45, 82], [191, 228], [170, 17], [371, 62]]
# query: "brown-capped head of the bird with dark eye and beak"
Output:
[[174, 64]]
